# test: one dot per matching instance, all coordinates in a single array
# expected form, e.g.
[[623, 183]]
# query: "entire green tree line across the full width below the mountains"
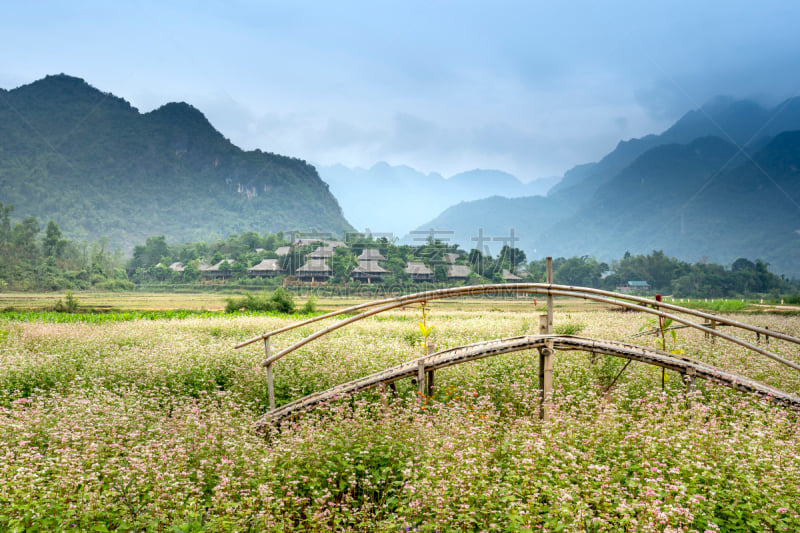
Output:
[[33, 258]]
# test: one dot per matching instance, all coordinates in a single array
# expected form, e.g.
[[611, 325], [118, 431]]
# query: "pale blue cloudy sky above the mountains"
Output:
[[528, 87]]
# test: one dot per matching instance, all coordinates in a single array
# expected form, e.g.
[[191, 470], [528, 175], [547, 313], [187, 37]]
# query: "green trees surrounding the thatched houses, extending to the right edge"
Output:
[[663, 274]]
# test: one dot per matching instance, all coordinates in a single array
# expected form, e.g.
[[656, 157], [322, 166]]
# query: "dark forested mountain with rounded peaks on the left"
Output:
[[99, 168]]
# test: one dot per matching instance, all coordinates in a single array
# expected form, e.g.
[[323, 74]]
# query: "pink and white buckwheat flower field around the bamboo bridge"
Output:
[[147, 425]]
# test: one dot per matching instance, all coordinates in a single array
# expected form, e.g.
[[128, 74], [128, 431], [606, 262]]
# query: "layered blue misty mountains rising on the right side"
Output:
[[722, 183]]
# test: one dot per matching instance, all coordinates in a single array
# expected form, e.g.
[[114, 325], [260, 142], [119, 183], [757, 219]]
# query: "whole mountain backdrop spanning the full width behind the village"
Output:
[[723, 182]]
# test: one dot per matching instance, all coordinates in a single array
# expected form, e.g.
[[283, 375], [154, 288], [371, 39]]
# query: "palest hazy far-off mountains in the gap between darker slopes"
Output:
[[395, 199]]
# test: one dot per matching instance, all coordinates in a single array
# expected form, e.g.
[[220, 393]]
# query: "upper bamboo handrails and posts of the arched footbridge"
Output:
[[549, 289]]
